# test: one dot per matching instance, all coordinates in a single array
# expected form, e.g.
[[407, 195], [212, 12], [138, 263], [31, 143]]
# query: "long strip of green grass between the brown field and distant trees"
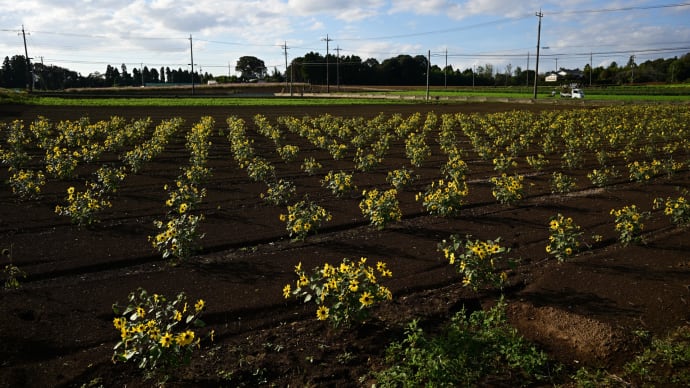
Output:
[[637, 93]]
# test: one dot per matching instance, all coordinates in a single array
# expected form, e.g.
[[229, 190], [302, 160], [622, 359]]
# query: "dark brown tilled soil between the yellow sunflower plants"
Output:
[[56, 330]]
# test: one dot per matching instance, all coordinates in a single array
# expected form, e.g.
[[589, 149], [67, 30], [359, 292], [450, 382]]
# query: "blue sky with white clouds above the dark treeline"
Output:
[[87, 35]]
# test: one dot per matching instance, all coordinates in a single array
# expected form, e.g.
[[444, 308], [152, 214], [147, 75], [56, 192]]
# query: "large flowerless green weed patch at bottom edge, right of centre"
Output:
[[477, 349]]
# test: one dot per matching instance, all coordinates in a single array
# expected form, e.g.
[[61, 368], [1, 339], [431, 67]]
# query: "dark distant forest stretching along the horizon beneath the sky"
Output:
[[348, 70]]
